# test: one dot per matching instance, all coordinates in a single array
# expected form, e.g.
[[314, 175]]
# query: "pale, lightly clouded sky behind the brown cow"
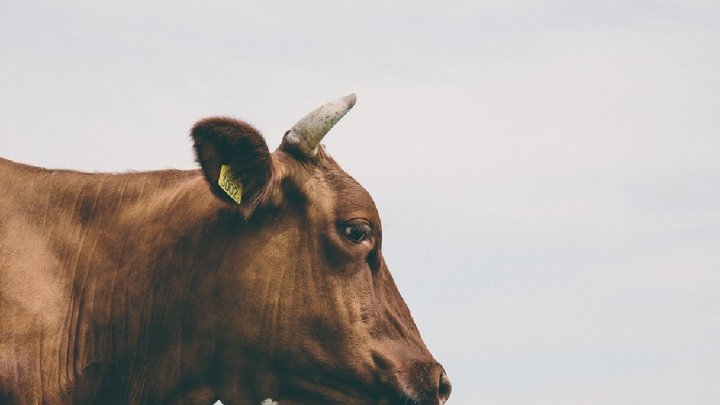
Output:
[[547, 172]]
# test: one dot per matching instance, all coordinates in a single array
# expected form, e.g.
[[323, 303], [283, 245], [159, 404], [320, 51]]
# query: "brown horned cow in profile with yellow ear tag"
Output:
[[259, 275]]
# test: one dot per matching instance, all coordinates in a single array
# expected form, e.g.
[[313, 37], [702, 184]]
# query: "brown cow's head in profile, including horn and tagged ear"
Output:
[[306, 306]]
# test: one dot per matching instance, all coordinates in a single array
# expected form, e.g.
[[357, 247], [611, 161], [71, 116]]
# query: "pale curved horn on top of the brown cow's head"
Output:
[[307, 133]]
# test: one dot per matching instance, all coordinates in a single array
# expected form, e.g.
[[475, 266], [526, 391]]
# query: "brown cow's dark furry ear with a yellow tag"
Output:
[[235, 159]]
